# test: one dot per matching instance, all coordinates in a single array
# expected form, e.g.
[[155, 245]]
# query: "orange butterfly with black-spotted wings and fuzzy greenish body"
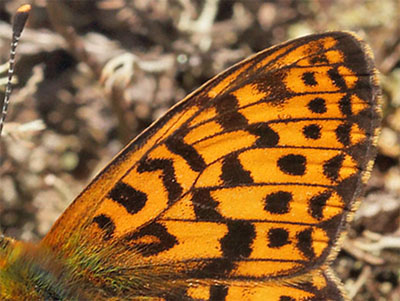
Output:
[[240, 191]]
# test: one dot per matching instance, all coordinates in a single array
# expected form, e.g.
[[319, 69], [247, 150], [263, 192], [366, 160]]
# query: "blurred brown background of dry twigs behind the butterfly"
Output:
[[93, 74]]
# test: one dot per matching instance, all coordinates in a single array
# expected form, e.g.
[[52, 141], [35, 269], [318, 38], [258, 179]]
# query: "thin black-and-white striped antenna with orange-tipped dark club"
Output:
[[18, 25]]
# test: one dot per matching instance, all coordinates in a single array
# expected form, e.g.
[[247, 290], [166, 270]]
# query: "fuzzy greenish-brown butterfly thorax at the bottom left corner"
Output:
[[30, 272]]
